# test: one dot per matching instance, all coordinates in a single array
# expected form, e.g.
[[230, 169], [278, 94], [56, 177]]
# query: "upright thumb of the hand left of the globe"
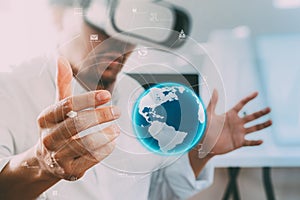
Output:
[[63, 79]]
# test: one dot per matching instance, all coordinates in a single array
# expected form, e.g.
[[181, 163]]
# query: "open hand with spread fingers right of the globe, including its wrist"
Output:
[[226, 132]]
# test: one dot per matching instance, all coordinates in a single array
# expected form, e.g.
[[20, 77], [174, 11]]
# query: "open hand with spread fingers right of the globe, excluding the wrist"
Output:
[[233, 132]]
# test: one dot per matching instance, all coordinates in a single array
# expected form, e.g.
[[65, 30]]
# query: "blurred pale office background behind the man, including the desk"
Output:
[[256, 46]]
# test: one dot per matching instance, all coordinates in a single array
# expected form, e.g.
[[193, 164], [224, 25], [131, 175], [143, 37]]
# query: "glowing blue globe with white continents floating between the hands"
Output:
[[169, 118]]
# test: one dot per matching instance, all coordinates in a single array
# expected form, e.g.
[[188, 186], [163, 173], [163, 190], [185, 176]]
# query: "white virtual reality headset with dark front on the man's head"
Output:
[[145, 22]]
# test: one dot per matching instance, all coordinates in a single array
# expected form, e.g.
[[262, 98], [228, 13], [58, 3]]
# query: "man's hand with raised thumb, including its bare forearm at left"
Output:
[[60, 152]]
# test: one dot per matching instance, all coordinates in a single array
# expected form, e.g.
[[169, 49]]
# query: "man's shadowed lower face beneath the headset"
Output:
[[102, 64]]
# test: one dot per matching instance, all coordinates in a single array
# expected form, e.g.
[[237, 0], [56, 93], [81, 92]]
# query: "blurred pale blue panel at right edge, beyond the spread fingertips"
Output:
[[279, 68]]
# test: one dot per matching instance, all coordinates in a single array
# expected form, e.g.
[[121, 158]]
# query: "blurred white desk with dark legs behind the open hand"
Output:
[[269, 155]]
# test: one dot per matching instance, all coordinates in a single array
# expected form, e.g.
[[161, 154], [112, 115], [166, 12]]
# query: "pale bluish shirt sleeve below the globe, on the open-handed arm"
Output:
[[178, 181]]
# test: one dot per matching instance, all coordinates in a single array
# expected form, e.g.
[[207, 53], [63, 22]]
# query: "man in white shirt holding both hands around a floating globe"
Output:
[[39, 158]]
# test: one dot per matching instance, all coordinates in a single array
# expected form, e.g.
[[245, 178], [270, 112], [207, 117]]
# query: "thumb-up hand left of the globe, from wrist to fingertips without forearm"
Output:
[[61, 152]]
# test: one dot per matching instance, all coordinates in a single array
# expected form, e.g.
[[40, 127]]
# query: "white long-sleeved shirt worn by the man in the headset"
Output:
[[130, 172]]
